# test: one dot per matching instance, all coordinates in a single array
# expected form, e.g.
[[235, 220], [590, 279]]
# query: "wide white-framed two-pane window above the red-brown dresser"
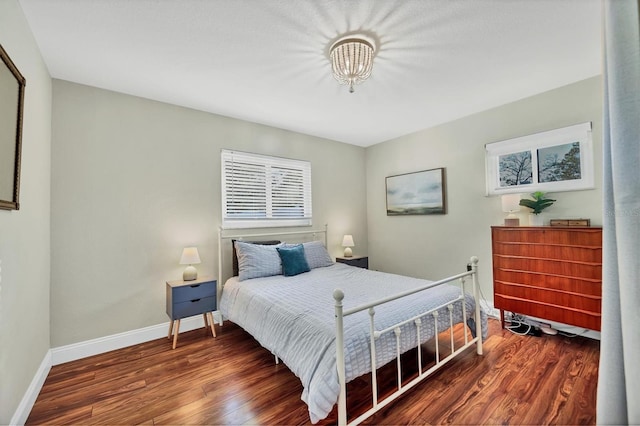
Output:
[[553, 161]]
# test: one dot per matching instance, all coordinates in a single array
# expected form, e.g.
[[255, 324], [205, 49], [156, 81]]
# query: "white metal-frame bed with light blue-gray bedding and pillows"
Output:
[[331, 322]]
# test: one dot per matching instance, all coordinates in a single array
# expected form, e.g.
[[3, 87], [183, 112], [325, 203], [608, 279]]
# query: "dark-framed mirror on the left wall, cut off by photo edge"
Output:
[[11, 105]]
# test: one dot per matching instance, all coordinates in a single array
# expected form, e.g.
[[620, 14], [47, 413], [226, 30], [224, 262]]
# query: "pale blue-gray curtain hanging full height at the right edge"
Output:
[[619, 373]]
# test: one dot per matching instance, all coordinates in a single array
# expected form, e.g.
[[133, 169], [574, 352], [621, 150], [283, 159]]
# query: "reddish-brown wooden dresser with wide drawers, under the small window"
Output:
[[549, 272]]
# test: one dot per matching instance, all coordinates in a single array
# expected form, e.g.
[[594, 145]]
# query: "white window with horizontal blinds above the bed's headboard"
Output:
[[262, 191]]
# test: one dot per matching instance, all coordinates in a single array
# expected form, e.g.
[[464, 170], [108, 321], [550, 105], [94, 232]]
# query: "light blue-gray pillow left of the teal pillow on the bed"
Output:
[[255, 260]]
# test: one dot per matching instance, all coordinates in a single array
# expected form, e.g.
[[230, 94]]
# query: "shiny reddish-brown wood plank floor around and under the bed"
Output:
[[232, 380]]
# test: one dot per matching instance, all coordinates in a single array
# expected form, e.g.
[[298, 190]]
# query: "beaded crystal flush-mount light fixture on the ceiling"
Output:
[[352, 60]]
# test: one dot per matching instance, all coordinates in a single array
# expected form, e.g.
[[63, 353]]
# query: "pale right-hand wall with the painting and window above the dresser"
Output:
[[440, 245]]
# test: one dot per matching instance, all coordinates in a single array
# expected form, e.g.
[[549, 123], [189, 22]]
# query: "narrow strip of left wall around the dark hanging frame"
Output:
[[24, 234]]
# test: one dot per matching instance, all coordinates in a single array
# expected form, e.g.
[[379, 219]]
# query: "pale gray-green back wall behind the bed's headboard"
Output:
[[134, 181]]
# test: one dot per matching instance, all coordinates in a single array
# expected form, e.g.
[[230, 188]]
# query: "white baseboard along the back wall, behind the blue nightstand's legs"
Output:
[[80, 350]]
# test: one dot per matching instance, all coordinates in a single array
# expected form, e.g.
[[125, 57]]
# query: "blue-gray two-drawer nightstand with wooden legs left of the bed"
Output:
[[189, 298]]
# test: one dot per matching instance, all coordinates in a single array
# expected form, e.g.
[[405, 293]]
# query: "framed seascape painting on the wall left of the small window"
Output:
[[418, 193]]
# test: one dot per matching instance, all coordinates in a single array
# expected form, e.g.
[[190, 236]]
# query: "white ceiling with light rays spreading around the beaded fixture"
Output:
[[267, 61]]
